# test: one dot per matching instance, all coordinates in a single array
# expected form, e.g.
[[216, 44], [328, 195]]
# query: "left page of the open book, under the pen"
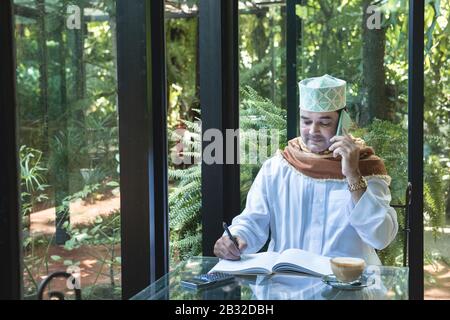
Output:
[[257, 263]]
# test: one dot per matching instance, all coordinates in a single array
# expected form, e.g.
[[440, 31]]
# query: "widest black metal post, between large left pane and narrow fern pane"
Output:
[[143, 143]]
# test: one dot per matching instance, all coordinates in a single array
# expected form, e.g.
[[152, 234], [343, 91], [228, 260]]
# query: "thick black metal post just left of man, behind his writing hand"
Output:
[[219, 100]]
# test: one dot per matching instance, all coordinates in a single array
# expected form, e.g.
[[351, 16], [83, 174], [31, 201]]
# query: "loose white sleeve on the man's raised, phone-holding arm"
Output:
[[373, 218]]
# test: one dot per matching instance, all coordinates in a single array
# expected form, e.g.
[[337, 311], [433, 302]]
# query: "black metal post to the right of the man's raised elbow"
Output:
[[415, 147]]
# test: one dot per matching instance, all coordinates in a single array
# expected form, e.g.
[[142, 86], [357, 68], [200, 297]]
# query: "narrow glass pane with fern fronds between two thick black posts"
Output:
[[184, 130]]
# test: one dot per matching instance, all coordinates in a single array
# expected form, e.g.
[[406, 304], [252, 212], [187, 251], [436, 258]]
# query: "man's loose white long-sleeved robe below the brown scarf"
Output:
[[315, 215]]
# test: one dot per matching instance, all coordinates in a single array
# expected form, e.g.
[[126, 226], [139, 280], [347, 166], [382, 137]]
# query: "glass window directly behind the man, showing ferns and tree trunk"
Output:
[[352, 40]]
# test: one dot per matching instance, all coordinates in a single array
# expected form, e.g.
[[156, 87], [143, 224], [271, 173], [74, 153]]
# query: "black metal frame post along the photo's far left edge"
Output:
[[10, 224]]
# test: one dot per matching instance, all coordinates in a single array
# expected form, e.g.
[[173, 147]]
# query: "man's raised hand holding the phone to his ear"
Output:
[[345, 147]]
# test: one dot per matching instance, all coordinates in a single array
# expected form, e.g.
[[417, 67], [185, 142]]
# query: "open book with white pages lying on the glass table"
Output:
[[289, 261]]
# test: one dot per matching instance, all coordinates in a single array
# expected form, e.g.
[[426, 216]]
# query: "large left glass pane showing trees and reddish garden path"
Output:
[[67, 100]]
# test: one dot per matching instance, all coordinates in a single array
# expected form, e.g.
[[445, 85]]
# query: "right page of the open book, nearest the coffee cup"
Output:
[[297, 260]]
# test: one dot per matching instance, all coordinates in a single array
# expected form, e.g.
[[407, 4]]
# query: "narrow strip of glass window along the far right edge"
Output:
[[437, 151]]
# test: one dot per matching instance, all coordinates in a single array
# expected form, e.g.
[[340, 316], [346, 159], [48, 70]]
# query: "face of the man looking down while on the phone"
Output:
[[317, 128]]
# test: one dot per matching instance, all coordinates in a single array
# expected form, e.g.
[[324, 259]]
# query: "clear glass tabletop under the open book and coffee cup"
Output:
[[389, 283]]
